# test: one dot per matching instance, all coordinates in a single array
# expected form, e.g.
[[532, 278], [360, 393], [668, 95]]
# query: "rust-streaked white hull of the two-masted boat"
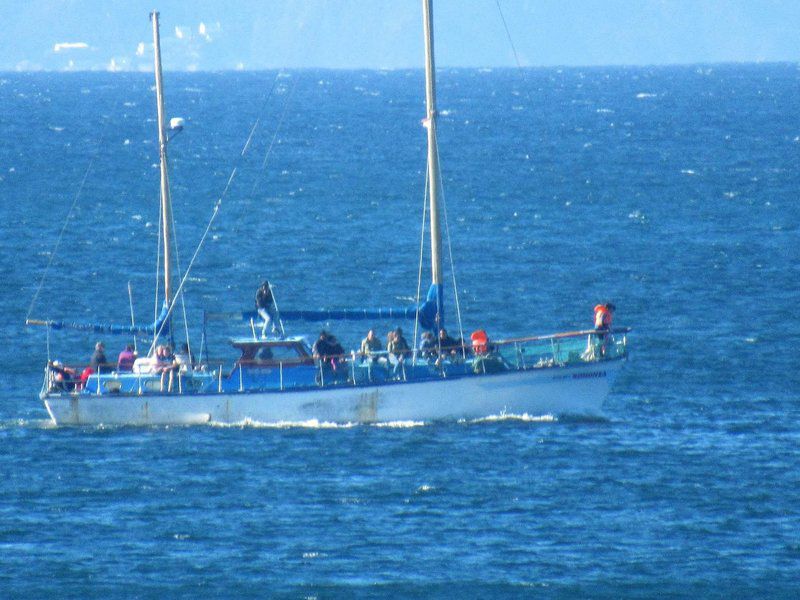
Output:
[[549, 391]]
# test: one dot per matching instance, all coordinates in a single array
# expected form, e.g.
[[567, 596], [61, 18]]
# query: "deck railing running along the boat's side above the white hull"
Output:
[[356, 368]]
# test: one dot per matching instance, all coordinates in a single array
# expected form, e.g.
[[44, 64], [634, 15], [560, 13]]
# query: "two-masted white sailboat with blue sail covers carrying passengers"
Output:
[[282, 380]]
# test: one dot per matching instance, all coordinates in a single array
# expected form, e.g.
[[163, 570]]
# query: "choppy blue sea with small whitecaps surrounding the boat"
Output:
[[670, 191]]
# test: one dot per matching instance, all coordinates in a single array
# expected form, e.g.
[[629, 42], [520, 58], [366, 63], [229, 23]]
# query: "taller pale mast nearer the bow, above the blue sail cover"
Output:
[[433, 150]]
